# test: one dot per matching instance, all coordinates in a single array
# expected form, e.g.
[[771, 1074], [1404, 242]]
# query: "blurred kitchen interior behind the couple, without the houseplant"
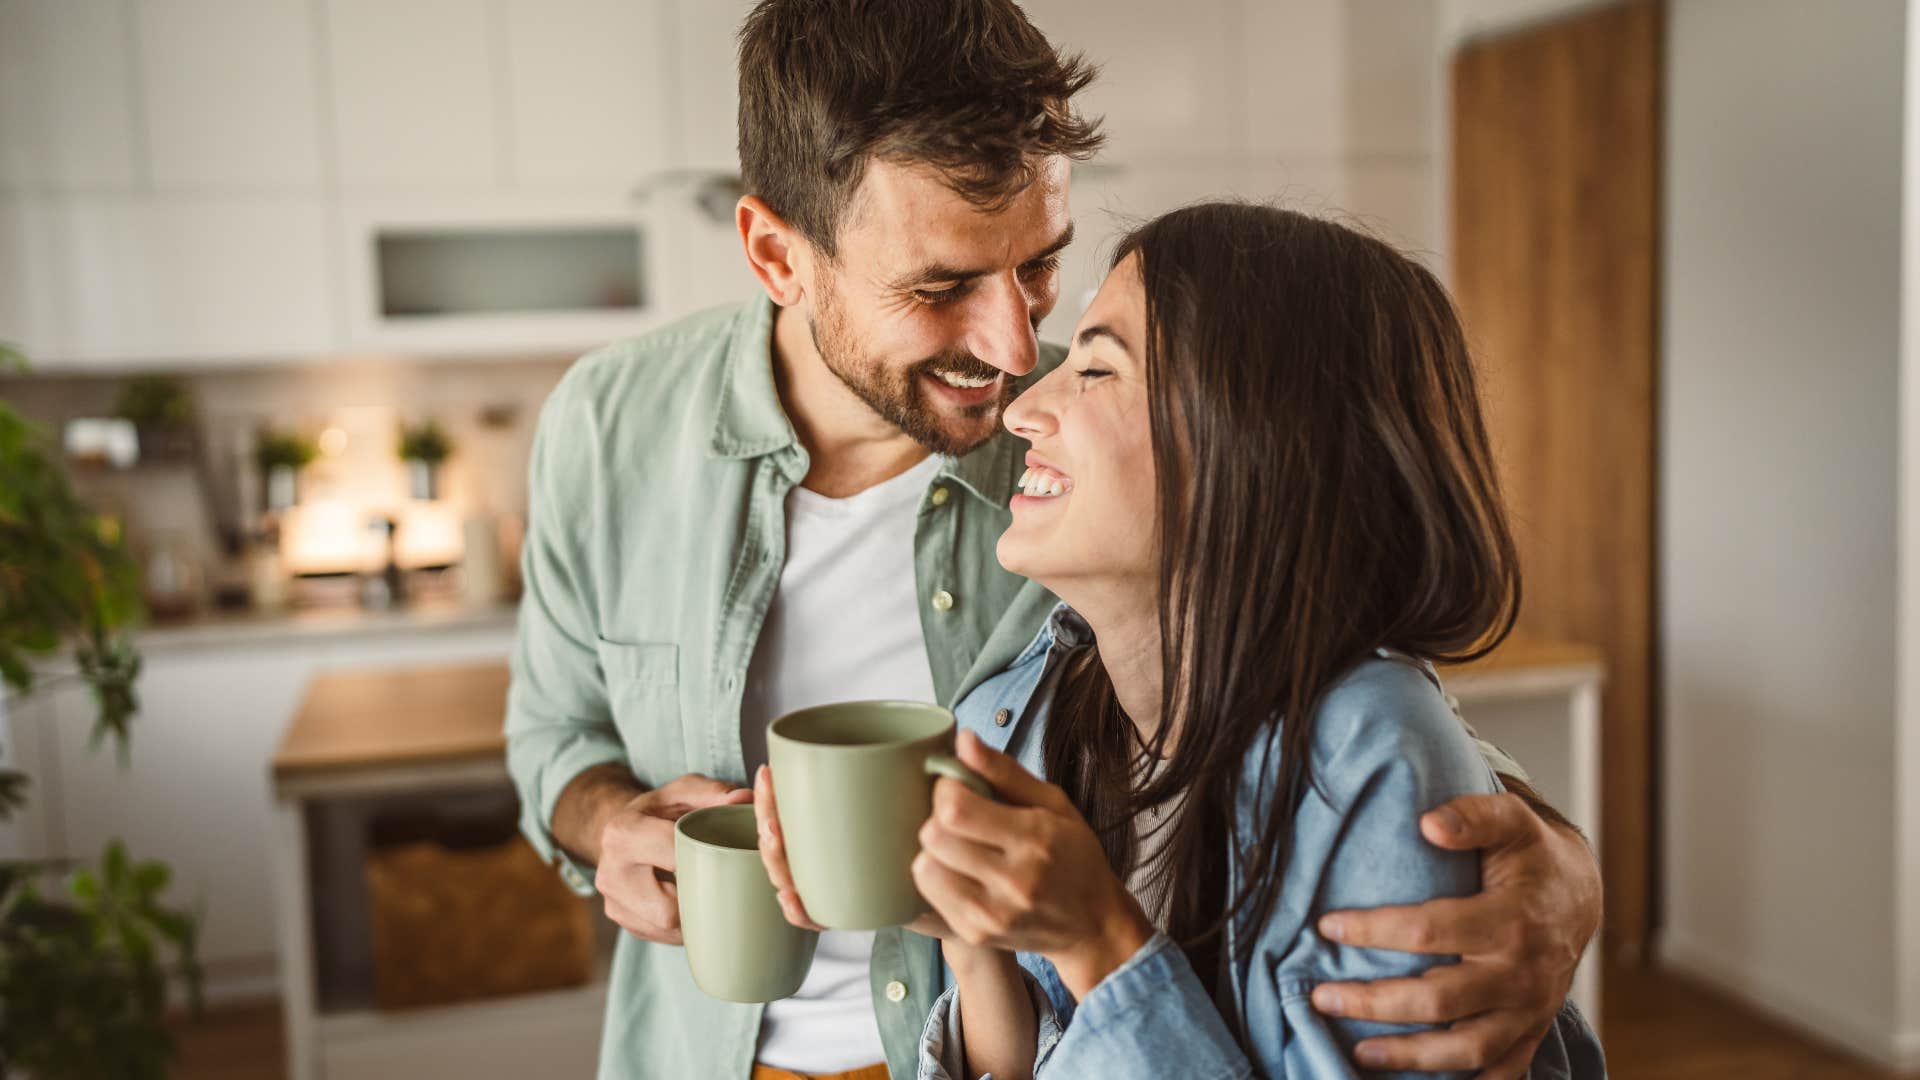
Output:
[[297, 276]]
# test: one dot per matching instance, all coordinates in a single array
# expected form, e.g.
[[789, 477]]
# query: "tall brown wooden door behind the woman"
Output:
[[1556, 182]]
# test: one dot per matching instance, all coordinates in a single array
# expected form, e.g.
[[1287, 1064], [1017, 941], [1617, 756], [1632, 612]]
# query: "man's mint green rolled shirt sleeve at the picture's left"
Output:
[[558, 716]]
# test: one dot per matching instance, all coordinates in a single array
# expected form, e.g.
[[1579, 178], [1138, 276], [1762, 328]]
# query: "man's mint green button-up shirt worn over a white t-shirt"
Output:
[[654, 547]]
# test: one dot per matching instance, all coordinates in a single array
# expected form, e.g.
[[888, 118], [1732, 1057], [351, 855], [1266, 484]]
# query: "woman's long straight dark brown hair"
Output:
[[1326, 487]]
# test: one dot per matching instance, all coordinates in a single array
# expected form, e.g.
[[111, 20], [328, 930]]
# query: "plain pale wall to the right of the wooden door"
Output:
[[1779, 531]]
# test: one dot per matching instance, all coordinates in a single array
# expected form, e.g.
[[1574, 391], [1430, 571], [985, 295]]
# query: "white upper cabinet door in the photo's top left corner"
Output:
[[66, 97]]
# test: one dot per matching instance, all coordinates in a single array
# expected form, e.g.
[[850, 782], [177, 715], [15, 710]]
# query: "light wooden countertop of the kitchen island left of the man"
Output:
[[358, 720]]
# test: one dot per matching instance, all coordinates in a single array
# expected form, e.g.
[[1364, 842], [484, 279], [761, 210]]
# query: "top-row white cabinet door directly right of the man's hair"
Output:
[[1163, 86]]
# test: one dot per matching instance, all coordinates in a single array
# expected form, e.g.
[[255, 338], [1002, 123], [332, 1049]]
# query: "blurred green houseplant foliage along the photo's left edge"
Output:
[[87, 952]]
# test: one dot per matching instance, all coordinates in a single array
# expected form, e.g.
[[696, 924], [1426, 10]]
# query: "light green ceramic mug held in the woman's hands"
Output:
[[855, 783]]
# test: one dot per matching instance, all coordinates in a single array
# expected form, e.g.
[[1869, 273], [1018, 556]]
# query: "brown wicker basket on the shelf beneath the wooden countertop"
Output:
[[454, 925]]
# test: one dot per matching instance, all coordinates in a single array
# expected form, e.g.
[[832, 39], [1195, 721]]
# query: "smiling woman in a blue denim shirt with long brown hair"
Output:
[[1264, 493]]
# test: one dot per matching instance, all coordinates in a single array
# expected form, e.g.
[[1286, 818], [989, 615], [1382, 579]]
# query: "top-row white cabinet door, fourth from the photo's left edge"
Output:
[[587, 99]]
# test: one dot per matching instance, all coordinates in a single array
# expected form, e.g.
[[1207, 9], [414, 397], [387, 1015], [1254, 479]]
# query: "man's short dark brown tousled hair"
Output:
[[969, 87]]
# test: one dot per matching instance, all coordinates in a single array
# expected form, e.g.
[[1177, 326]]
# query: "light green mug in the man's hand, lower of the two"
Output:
[[740, 946]]
